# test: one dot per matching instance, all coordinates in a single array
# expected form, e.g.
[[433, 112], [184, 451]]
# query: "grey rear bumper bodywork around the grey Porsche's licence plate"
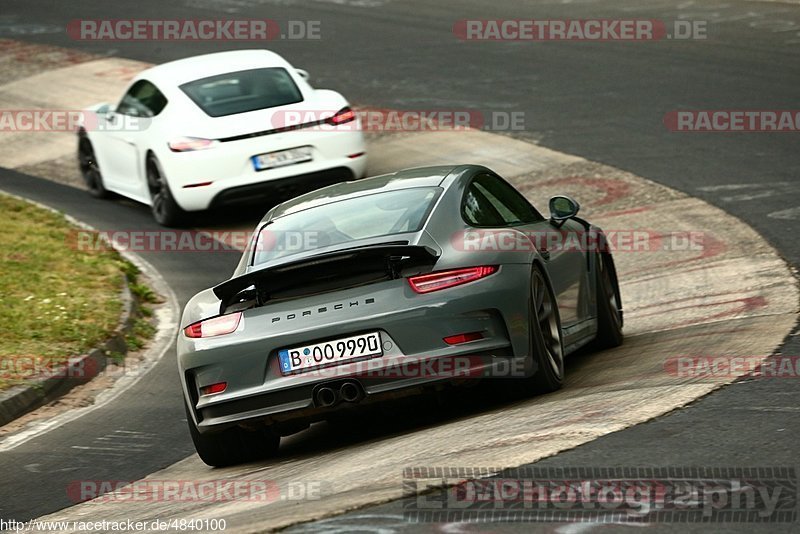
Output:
[[412, 329]]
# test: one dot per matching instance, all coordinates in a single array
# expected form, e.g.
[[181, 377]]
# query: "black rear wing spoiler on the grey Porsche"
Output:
[[394, 257]]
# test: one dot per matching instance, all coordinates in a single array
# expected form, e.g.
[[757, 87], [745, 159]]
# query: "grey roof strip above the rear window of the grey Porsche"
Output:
[[404, 179]]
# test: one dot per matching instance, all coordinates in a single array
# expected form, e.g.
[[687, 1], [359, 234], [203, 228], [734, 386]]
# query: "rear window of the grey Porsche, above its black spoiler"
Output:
[[365, 217]]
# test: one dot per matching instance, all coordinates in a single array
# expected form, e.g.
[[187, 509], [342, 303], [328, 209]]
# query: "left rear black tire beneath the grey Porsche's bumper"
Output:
[[234, 445]]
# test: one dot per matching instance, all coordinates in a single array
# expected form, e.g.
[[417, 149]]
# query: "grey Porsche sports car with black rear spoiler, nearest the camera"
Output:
[[389, 286]]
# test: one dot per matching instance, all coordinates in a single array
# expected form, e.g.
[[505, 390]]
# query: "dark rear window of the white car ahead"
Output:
[[243, 91]]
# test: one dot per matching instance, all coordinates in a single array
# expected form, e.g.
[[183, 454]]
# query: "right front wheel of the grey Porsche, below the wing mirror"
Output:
[[609, 304]]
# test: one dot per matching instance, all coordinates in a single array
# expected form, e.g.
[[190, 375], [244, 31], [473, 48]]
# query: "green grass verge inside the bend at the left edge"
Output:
[[56, 302]]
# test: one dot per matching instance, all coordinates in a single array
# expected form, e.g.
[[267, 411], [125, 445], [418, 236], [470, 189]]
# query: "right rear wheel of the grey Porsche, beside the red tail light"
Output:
[[547, 344]]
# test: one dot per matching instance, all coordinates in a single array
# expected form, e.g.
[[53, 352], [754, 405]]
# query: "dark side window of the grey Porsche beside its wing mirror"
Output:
[[490, 201]]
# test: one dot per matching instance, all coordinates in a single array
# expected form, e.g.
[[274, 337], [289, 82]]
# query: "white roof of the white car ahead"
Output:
[[185, 70]]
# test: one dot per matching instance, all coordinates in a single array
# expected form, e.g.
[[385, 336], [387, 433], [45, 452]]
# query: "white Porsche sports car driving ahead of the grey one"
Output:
[[225, 128]]
